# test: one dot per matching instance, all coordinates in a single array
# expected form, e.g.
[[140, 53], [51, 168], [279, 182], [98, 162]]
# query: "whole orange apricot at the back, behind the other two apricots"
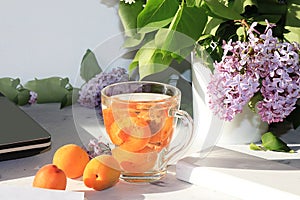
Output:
[[72, 159]]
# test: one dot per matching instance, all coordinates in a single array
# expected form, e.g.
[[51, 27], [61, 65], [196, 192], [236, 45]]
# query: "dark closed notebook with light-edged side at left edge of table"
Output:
[[20, 135]]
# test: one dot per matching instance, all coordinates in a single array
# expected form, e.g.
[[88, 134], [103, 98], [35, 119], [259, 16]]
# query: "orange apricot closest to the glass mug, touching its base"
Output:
[[101, 172]]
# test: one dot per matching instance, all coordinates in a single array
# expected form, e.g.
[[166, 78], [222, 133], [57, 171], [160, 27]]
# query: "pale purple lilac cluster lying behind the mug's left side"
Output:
[[89, 95]]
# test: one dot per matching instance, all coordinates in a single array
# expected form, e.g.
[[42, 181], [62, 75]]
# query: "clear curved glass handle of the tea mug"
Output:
[[178, 151]]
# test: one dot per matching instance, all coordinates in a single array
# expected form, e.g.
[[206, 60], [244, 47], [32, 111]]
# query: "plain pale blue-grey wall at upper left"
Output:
[[43, 38]]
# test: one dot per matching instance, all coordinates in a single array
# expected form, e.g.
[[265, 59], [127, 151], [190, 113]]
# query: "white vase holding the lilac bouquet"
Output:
[[246, 127]]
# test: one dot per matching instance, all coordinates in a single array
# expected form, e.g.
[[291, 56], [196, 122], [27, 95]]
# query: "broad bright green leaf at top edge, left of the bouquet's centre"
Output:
[[156, 14]]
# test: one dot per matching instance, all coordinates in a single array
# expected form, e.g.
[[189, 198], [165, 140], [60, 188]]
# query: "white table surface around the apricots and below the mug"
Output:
[[60, 124]]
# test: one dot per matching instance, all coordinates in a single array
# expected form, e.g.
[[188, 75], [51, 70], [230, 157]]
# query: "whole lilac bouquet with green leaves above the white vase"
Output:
[[256, 65]]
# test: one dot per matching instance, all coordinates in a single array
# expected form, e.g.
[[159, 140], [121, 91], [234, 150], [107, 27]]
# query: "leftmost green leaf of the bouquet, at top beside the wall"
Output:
[[128, 14]]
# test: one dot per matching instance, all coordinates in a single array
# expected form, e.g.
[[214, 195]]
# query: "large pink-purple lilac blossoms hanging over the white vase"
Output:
[[262, 64]]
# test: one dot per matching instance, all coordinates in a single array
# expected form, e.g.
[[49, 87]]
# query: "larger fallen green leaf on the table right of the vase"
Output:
[[273, 143]]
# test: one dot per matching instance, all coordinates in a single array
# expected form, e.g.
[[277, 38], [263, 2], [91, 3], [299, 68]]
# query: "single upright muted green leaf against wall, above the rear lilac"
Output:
[[89, 66]]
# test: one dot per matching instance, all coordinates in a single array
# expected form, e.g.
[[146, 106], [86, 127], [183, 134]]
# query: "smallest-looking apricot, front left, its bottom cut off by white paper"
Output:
[[50, 177]]
